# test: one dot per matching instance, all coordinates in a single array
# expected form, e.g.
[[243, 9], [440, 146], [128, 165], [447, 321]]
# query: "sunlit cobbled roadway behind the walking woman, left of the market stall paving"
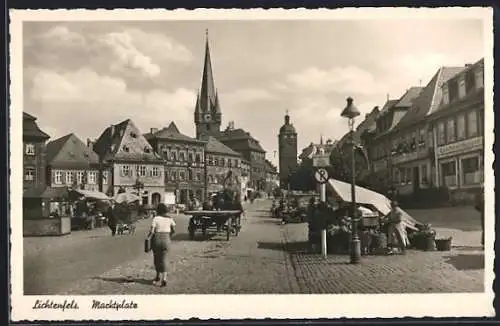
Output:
[[251, 263]]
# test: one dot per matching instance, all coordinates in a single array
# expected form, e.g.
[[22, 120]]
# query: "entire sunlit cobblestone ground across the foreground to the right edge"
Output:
[[269, 258]]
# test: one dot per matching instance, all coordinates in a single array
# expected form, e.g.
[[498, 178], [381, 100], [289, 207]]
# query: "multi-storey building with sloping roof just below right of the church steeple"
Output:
[[223, 165]]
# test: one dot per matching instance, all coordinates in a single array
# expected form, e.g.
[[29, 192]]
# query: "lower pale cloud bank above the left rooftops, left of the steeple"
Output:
[[86, 101]]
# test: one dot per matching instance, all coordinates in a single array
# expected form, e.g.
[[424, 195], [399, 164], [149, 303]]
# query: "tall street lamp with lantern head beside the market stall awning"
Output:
[[351, 112]]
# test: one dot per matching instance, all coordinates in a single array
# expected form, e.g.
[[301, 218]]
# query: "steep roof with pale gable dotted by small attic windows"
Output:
[[125, 142]]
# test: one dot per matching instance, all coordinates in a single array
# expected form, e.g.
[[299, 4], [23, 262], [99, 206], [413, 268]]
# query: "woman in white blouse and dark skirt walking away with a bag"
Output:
[[162, 228]]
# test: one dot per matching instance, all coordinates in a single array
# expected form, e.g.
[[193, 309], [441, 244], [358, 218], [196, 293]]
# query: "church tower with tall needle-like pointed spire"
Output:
[[207, 114]]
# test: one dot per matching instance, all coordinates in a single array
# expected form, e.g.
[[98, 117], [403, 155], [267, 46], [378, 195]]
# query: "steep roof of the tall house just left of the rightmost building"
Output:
[[428, 99]]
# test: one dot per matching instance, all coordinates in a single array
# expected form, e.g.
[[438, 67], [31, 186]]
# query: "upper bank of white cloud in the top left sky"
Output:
[[131, 53]]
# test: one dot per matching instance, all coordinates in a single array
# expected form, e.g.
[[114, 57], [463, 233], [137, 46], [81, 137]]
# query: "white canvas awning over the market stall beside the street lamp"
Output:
[[368, 197]]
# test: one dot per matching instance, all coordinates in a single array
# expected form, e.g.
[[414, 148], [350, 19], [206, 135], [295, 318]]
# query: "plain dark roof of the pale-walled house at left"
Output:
[[70, 149]]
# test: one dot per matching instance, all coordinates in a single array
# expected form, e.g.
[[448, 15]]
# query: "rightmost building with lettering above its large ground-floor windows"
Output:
[[458, 131]]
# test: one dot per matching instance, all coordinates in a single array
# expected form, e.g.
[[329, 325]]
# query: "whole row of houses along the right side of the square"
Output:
[[432, 136]]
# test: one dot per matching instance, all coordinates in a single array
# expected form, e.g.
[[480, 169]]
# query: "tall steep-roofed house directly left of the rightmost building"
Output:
[[411, 139]]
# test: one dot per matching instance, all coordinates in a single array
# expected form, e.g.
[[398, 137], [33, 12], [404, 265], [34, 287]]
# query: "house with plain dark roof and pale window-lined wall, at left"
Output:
[[71, 163]]
